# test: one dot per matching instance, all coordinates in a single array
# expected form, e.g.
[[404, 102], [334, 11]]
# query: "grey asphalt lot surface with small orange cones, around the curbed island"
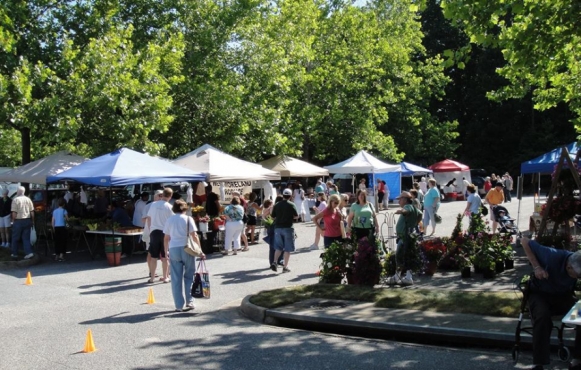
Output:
[[44, 325]]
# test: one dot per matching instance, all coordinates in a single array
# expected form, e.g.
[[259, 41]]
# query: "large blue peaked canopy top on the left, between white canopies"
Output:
[[126, 167]]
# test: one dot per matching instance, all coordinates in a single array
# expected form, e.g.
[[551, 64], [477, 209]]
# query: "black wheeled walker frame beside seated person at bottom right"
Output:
[[524, 286]]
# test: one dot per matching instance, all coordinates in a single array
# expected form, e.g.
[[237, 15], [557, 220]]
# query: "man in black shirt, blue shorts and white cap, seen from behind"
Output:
[[284, 214]]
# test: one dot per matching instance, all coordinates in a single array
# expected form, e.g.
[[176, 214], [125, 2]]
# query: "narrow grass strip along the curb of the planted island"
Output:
[[501, 304]]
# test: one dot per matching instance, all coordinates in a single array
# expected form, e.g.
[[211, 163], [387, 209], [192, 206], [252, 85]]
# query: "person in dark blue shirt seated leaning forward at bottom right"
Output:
[[556, 272]]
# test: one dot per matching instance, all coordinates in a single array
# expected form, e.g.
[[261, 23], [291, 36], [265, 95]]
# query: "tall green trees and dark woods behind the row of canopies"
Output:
[[314, 79]]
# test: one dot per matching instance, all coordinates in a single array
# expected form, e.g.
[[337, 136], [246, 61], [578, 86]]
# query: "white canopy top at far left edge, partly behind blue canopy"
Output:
[[36, 172]]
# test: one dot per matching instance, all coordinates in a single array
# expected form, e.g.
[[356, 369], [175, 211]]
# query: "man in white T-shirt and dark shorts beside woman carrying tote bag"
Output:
[[158, 214]]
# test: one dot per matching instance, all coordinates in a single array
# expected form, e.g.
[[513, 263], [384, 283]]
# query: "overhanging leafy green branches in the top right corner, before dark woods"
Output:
[[539, 41]]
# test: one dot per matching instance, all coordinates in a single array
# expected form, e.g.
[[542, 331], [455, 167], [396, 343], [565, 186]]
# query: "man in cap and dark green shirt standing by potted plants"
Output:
[[409, 217]]
